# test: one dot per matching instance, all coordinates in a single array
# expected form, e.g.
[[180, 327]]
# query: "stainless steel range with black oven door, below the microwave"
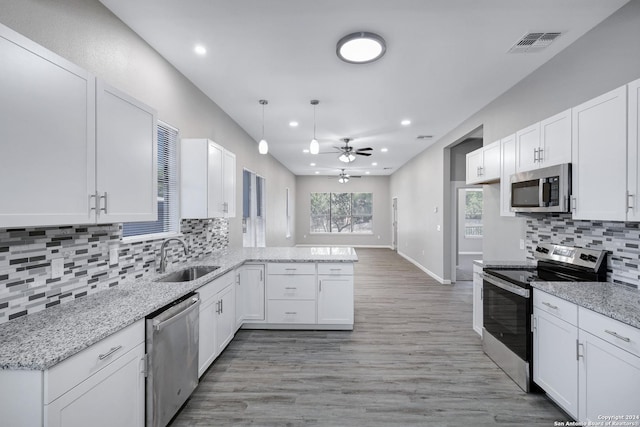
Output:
[[507, 303]]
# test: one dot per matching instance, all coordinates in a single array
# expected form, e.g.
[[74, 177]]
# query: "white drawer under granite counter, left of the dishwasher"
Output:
[[72, 371]]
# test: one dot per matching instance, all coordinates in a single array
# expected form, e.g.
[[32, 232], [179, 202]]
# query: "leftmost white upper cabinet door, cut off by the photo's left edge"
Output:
[[47, 136]]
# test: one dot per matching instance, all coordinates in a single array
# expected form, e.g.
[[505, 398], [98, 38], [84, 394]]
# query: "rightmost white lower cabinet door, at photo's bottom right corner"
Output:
[[609, 379]]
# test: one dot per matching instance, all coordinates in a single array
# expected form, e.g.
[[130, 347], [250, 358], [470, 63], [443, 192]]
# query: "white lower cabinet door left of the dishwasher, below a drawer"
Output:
[[114, 396]]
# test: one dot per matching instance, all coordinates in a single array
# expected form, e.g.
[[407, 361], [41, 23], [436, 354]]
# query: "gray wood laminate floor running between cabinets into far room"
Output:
[[411, 360]]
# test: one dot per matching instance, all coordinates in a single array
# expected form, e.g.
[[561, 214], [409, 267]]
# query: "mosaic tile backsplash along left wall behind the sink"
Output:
[[26, 255]]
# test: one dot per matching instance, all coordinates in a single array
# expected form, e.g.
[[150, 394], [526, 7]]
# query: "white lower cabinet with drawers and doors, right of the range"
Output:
[[586, 362]]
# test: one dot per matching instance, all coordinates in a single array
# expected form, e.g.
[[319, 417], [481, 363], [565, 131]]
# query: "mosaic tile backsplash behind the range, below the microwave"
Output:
[[620, 239]]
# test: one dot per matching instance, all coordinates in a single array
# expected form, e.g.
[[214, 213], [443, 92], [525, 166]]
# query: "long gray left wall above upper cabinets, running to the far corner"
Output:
[[88, 34]]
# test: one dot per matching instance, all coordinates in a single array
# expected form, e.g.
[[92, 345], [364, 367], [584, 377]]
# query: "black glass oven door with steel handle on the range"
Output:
[[507, 315]]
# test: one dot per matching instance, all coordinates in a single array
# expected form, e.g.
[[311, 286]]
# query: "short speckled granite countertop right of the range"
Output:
[[615, 301]]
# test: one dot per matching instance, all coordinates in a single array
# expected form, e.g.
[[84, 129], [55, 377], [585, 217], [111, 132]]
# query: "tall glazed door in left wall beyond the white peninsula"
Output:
[[253, 210]]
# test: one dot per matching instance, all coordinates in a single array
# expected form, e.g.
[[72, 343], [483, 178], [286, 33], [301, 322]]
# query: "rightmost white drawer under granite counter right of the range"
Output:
[[617, 333]]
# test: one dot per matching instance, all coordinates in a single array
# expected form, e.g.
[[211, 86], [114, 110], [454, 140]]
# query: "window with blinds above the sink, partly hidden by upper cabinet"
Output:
[[168, 221]]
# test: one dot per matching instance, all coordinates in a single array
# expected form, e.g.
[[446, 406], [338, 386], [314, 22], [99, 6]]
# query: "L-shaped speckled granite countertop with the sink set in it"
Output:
[[40, 340]]
